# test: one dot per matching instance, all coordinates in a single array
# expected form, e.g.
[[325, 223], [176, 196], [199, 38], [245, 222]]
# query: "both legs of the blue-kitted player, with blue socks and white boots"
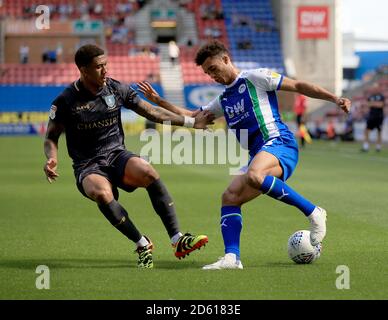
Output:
[[262, 177]]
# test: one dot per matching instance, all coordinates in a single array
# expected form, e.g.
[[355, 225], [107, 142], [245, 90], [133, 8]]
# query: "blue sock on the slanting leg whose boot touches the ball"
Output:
[[277, 189]]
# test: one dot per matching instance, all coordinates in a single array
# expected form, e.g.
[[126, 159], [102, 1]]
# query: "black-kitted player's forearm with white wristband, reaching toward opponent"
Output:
[[160, 115]]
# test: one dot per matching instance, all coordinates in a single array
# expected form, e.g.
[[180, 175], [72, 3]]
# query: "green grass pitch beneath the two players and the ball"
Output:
[[53, 225]]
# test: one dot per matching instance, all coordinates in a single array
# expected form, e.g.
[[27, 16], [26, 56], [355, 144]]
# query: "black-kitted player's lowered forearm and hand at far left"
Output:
[[54, 130]]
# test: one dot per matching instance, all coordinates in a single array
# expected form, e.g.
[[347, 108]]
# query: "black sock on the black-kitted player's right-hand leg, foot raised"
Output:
[[164, 206]]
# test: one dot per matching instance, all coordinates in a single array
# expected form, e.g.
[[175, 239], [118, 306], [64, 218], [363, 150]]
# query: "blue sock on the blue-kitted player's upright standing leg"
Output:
[[231, 225]]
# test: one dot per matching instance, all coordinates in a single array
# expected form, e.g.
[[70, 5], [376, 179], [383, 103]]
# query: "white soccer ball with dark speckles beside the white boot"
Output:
[[300, 249]]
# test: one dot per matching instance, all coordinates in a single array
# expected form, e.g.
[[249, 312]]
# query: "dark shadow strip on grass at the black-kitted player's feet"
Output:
[[82, 263]]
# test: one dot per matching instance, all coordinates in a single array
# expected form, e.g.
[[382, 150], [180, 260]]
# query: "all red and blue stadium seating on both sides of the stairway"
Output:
[[248, 29]]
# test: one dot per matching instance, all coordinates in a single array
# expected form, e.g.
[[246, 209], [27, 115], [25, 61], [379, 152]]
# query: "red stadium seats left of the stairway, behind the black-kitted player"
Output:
[[127, 62]]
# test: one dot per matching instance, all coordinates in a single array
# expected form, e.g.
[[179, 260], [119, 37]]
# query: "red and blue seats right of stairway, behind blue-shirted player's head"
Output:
[[247, 28]]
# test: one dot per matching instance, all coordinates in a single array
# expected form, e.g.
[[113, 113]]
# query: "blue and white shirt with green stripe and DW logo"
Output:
[[250, 103]]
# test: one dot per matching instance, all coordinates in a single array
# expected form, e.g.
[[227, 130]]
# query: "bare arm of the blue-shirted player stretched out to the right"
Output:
[[315, 91]]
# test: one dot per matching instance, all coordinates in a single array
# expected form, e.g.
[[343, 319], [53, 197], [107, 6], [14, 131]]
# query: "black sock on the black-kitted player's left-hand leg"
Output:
[[118, 217]]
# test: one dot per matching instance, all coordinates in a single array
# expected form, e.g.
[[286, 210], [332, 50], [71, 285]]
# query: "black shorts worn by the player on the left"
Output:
[[111, 167]]
